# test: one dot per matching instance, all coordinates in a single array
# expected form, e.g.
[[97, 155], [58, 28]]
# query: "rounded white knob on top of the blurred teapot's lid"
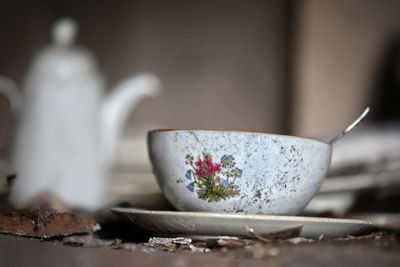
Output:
[[64, 32]]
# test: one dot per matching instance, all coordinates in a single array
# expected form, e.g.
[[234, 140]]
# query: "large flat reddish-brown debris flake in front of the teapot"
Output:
[[44, 223]]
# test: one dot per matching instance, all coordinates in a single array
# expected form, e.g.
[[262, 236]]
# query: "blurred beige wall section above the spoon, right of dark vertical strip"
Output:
[[338, 44]]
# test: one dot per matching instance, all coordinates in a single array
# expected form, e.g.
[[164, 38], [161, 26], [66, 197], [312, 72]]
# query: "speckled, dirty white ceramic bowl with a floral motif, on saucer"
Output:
[[237, 172]]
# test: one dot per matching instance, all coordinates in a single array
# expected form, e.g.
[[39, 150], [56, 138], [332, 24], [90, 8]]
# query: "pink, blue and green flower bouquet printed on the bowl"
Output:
[[210, 180]]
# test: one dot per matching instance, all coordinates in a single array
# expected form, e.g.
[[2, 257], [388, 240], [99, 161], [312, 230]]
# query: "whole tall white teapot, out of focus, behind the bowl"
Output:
[[67, 133]]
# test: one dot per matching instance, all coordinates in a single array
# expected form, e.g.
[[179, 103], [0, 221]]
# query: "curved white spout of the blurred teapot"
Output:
[[118, 105]]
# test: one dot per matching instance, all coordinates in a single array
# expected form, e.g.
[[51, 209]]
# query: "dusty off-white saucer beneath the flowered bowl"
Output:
[[179, 223]]
